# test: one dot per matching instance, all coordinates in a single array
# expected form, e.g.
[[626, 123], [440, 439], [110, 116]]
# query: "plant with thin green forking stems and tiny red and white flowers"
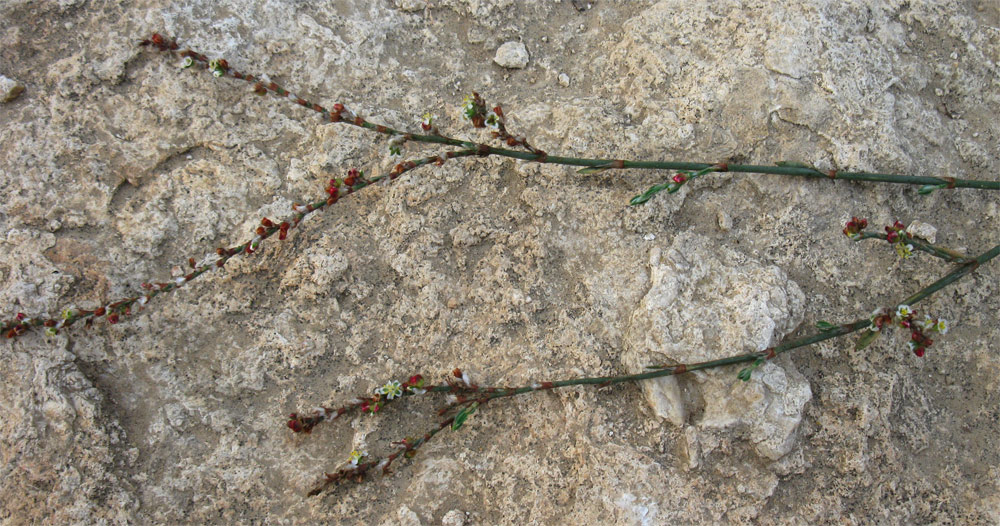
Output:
[[465, 398]]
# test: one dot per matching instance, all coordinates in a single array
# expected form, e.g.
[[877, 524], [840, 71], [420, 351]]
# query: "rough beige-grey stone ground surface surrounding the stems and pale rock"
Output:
[[119, 166]]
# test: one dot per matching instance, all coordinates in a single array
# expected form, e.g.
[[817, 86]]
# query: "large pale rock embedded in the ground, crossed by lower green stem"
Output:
[[707, 302]]
